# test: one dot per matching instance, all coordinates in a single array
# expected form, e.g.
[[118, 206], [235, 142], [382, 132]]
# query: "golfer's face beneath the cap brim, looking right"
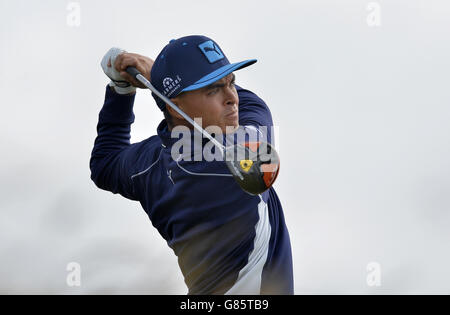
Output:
[[217, 104]]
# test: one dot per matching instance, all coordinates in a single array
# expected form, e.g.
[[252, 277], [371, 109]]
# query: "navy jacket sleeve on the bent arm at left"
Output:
[[113, 159]]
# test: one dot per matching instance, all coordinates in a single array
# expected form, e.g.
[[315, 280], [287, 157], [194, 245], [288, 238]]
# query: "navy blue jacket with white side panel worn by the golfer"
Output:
[[226, 241]]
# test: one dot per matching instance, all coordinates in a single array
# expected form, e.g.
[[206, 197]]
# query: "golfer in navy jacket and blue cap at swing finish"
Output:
[[227, 241]]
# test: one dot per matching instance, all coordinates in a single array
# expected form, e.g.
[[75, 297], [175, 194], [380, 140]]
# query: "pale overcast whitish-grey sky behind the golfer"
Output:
[[363, 115]]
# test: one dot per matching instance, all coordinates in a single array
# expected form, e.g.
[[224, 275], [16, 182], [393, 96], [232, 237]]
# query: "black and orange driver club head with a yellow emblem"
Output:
[[254, 165]]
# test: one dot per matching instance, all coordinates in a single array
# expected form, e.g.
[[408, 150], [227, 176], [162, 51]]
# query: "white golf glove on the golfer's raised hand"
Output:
[[121, 86]]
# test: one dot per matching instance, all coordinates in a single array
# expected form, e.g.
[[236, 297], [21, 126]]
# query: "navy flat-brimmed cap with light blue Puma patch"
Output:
[[190, 63]]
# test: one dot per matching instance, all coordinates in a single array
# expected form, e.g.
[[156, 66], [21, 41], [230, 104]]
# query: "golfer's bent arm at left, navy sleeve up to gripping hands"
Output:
[[114, 159]]
